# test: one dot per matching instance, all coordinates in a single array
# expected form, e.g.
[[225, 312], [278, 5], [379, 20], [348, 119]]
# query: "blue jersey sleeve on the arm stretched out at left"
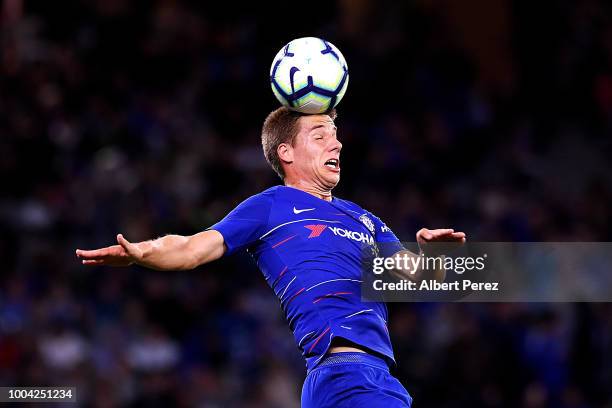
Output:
[[247, 222]]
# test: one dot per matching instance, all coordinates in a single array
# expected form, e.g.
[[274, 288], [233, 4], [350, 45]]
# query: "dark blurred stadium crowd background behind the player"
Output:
[[493, 117]]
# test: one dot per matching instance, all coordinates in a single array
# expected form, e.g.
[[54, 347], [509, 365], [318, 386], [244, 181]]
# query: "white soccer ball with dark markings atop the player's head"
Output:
[[309, 75]]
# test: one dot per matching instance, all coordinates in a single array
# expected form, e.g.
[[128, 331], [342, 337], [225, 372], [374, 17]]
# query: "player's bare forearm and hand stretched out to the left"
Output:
[[172, 252]]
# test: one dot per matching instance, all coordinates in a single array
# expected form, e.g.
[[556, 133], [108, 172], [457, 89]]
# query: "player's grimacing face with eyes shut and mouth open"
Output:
[[317, 151]]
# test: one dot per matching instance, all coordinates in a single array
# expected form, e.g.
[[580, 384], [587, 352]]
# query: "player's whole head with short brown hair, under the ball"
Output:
[[298, 146]]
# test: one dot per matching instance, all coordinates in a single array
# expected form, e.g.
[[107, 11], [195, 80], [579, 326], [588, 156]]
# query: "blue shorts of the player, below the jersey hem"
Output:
[[353, 380]]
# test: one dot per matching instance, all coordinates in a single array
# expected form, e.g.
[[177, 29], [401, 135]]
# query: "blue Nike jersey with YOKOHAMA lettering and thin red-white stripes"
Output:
[[311, 253]]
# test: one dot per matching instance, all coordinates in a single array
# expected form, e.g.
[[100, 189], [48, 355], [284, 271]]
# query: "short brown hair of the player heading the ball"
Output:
[[281, 126]]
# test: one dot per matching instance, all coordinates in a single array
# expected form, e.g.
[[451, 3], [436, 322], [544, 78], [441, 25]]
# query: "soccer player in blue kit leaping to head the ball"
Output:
[[309, 246]]
